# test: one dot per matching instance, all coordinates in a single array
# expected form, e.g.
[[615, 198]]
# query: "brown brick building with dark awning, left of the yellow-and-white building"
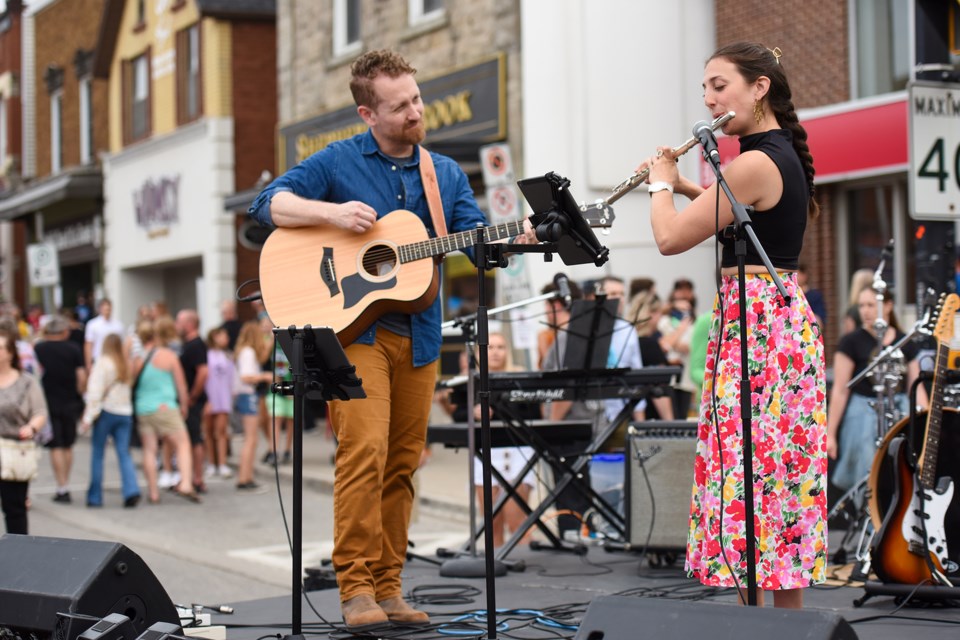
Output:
[[58, 196]]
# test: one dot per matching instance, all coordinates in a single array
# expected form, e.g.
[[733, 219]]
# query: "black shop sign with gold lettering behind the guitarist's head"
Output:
[[464, 106]]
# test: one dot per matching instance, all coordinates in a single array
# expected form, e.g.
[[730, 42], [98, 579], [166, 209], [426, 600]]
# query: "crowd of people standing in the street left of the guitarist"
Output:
[[156, 386]]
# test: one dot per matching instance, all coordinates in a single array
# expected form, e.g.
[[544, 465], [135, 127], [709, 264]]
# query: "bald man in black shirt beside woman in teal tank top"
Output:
[[193, 359]]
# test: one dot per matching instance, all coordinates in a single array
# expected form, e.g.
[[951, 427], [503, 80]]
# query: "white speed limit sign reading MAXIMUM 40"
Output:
[[934, 150]]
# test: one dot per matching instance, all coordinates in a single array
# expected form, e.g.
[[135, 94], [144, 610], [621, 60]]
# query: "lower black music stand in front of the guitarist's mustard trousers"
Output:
[[321, 371]]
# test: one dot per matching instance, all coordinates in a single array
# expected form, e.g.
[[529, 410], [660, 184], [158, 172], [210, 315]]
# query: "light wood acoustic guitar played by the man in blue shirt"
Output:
[[326, 276]]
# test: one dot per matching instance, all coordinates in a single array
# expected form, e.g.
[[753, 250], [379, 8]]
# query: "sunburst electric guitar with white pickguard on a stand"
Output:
[[911, 543]]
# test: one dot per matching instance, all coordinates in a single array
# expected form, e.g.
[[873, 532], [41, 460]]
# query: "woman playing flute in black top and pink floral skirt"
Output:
[[774, 174]]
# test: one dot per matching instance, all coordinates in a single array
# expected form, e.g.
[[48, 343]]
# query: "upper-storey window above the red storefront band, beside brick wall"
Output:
[[881, 46]]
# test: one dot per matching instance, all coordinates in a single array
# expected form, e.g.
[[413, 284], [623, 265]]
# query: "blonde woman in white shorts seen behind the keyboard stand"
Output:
[[509, 461]]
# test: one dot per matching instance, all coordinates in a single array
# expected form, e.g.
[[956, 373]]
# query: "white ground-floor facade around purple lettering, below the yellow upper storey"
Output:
[[203, 239]]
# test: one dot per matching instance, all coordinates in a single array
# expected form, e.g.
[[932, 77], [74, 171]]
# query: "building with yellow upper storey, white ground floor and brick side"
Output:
[[191, 97]]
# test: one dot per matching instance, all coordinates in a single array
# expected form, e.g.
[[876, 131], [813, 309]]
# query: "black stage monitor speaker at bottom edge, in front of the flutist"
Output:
[[624, 618]]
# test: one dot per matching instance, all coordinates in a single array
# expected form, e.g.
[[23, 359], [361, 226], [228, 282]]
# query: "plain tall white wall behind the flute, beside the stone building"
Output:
[[605, 83]]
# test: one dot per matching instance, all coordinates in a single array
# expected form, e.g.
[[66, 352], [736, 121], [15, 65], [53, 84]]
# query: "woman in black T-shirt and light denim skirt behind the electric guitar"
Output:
[[852, 427]]
